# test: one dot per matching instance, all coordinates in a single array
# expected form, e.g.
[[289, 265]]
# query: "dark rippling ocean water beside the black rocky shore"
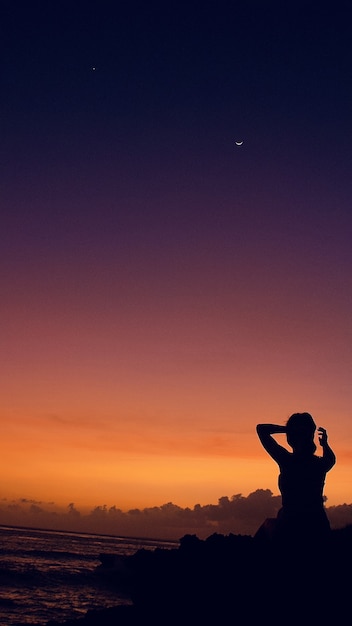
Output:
[[48, 575]]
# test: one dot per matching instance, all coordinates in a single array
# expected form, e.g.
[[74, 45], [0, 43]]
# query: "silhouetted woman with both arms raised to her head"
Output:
[[301, 479]]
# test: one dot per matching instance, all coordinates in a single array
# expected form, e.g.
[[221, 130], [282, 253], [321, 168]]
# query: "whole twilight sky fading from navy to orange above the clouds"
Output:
[[163, 290]]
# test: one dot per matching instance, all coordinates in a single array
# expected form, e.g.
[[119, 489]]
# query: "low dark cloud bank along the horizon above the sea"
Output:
[[237, 514]]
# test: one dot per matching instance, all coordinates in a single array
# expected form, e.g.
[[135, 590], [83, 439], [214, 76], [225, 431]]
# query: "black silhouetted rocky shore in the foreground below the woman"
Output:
[[231, 579]]
